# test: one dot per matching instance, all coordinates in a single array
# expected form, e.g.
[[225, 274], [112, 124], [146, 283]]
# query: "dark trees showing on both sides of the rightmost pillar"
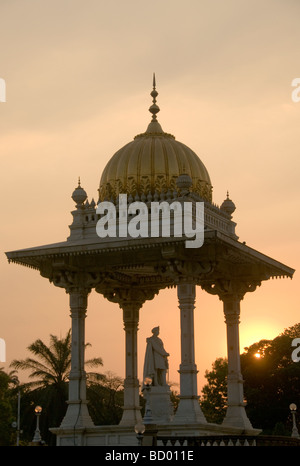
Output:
[[271, 384]]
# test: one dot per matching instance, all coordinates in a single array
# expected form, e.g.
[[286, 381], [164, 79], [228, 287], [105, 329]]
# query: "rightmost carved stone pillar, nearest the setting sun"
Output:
[[235, 414]]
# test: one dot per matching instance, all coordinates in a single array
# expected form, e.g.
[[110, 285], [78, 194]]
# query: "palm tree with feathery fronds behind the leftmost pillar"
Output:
[[48, 385]]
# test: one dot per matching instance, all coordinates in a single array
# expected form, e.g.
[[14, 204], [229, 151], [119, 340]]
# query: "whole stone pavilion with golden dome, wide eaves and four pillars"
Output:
[[153, 167]]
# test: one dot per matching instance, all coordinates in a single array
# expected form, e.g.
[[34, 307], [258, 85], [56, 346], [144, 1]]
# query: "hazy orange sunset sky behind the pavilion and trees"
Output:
[[78, 80]]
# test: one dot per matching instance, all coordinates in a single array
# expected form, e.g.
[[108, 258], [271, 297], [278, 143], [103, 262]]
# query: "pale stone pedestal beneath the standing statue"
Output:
[[160, 404]]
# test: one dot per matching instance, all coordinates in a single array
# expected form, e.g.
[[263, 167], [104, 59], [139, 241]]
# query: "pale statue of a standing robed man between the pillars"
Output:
[[156, 359]]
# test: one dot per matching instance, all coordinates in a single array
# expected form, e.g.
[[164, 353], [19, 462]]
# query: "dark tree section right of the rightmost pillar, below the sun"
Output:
[[272, 381]]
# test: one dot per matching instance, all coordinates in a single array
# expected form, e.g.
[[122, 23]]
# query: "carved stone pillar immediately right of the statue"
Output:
[[189, 410]]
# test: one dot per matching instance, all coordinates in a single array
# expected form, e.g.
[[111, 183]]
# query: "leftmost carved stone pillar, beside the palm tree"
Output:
[[77, 415]]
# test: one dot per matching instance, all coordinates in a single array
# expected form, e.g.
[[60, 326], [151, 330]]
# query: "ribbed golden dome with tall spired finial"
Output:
[[151, 163]]
